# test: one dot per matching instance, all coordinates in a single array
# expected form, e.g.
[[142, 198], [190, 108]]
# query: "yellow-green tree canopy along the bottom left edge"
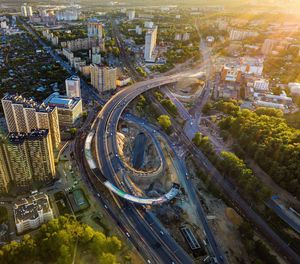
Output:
[[56, 242]]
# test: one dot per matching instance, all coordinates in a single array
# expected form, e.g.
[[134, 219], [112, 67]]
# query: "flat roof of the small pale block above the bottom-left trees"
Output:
[[28, 208]]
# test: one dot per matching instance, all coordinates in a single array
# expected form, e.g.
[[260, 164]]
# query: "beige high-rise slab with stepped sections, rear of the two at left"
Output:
[[24, 115]]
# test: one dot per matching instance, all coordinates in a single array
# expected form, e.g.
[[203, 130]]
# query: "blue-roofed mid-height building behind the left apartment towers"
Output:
[[69, 109]]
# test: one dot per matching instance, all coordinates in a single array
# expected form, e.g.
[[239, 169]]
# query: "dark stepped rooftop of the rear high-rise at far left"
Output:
[[28, 103]]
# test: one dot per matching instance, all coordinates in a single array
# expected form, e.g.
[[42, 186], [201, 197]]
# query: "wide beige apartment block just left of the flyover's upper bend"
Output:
[[103, 78]]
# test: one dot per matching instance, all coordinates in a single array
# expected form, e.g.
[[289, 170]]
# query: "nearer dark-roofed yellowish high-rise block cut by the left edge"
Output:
[[28, 157]]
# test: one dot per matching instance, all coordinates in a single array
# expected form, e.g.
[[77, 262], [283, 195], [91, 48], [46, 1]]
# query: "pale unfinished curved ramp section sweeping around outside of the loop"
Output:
[[139, 200]]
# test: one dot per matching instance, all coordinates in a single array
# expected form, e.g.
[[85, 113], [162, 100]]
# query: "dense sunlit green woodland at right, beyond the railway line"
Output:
[[268, 139]]
